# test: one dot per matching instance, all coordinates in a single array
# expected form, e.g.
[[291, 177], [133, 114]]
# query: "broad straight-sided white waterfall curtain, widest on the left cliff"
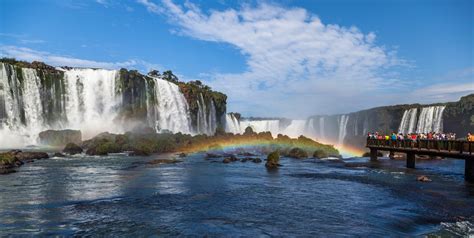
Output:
[[91, 100]]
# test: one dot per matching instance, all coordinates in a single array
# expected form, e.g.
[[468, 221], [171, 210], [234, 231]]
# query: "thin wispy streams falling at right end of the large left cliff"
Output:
[[206, 119]]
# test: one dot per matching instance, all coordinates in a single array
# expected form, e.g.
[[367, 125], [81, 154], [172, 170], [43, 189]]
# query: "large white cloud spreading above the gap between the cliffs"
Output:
[[297, 65]]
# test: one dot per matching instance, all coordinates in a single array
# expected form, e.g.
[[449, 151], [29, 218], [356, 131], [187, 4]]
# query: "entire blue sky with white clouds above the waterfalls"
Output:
[[272, 58]]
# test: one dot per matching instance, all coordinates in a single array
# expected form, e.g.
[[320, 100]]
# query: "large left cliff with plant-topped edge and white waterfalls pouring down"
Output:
[[38, 95]]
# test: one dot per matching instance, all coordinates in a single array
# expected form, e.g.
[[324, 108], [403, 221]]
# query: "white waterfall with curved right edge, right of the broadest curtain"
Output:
[[170, 111]]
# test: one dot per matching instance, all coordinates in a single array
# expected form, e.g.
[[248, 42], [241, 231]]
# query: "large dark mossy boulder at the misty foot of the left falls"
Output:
[[60, 138]]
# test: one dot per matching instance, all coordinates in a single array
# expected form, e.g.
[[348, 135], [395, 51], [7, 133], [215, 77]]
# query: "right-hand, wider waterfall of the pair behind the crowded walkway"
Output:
[[431, 119]]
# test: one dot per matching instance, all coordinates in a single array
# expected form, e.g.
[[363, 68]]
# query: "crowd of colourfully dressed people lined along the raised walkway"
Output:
[[417, 136]]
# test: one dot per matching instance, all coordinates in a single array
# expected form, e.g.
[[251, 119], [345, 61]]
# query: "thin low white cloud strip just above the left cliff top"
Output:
[[27, 54]]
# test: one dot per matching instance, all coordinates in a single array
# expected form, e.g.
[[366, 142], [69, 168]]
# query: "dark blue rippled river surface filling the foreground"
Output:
[[120, 195]]
